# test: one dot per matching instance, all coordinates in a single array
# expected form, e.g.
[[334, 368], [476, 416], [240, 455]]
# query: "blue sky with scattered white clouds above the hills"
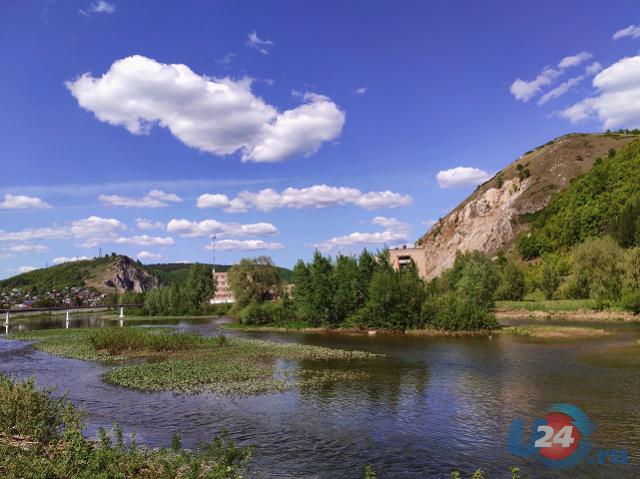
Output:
[[287, 126]]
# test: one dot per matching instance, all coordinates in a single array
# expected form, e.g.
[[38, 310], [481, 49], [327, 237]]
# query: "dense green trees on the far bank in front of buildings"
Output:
[[367, 292]]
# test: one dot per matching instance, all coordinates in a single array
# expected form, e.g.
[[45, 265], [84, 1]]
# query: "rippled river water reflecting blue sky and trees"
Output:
[[434, 404]]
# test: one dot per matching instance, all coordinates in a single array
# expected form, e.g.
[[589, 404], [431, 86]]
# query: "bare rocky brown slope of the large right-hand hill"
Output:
[[493, 215]]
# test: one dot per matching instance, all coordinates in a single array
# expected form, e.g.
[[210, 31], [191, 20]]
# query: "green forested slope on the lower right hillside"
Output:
[[605, 200]]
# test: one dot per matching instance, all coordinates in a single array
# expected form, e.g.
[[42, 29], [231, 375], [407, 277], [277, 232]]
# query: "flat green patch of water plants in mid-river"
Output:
[[166, 360]]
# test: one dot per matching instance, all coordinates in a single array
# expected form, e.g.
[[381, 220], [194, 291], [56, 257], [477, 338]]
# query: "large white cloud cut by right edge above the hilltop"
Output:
[[618, 101]]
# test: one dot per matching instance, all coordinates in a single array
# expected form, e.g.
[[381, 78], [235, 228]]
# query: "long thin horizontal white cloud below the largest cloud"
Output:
[[316, 196]]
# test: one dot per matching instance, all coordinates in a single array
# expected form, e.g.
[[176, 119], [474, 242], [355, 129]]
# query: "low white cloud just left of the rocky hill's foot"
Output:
[[395, 232]]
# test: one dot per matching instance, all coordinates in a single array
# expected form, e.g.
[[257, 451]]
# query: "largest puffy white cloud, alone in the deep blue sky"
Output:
[[218, 116]]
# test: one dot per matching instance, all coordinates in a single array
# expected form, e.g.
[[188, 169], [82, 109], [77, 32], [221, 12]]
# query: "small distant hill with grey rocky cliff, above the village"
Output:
[[107, 274]]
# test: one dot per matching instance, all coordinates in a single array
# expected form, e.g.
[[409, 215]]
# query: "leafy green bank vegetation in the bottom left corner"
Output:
[[41, 437]]
